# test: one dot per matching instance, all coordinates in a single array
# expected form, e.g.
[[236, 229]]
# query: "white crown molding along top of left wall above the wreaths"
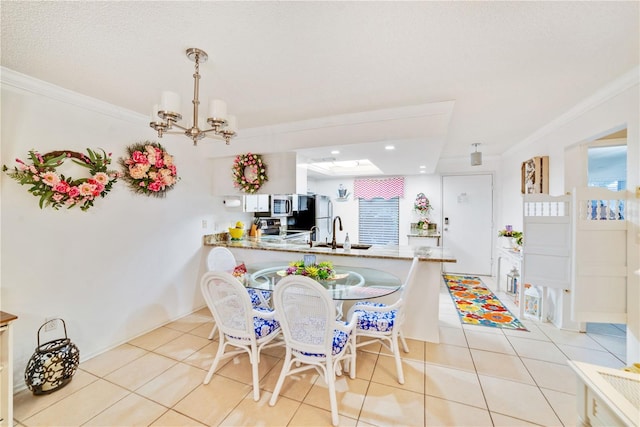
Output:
[[16, 81]]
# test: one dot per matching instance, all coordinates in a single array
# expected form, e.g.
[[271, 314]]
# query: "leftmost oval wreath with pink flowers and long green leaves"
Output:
[[57, 190]]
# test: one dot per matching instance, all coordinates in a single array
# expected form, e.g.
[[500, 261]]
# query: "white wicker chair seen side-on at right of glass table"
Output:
[[382, 323]]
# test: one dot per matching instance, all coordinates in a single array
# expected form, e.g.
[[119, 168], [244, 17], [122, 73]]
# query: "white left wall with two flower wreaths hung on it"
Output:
[[124, 267]]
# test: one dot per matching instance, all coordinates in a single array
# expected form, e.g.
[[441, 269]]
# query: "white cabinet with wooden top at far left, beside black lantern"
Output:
[[6, 369]]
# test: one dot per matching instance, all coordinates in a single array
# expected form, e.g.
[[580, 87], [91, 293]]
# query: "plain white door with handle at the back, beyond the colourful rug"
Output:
[[467, 222]]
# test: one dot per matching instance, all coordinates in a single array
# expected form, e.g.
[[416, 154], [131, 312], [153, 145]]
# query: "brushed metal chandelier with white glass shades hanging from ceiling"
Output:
[[166, 115]]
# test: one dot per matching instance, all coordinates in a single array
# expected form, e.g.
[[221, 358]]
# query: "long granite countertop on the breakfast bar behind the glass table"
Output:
[[424, 253]]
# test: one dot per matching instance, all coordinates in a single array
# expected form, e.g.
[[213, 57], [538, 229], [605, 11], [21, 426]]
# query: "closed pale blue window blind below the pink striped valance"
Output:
[[379, 221]]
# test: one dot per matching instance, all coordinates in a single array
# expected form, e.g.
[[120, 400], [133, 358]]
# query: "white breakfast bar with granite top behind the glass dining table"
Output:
[[422, 303]]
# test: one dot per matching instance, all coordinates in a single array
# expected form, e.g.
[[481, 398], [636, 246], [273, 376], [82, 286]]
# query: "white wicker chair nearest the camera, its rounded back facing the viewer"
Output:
[[314, 338]]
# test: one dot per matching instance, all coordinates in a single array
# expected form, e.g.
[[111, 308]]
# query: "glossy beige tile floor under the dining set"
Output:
[[476, 376]]
